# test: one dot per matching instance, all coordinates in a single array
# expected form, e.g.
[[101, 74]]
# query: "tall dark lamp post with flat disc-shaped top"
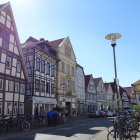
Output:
[[112, 37]]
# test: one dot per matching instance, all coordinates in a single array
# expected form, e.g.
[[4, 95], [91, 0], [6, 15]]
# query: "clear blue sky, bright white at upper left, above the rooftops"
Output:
[[87, 22]]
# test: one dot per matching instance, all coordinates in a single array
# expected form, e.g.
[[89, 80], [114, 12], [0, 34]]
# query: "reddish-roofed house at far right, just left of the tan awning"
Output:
[[131, 95]]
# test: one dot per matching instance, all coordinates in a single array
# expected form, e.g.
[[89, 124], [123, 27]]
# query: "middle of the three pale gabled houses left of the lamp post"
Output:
[[101, 93]]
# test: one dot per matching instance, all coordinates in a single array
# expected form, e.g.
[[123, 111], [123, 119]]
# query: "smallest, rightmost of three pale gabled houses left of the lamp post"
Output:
[[109, 96]]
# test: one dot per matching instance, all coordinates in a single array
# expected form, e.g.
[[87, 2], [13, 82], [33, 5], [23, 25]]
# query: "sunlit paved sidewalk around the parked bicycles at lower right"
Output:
[[103, 135]]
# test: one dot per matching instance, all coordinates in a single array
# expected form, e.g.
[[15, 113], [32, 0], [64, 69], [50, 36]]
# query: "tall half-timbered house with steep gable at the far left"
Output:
[[12, 75]]
